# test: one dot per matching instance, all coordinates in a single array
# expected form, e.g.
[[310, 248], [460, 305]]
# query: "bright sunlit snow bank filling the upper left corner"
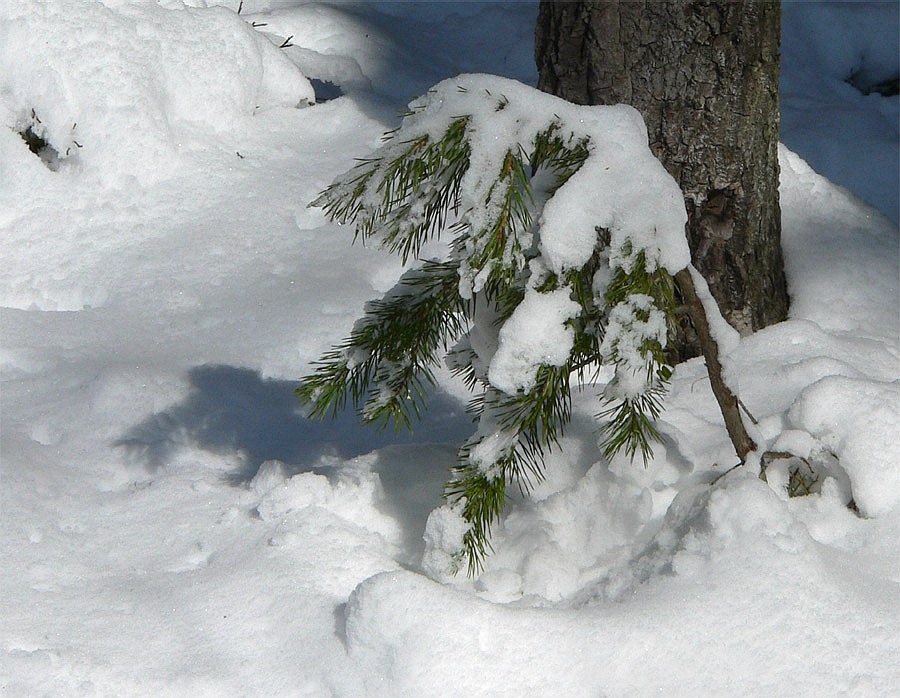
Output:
[[120, 92]]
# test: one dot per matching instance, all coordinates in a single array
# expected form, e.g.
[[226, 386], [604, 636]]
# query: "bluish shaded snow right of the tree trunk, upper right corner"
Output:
[[831, 53]]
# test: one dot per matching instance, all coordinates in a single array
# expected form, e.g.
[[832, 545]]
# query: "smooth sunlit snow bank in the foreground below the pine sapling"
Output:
[[734, 571]]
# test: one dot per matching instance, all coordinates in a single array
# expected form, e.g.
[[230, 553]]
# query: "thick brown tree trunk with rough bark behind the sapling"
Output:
[[705, 77]]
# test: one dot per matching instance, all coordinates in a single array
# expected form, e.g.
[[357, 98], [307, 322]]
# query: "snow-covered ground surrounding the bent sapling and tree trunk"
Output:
[[171, 526]]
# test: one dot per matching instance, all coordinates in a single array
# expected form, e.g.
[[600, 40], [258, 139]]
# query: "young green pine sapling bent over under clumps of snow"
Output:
[[566, 240]]
